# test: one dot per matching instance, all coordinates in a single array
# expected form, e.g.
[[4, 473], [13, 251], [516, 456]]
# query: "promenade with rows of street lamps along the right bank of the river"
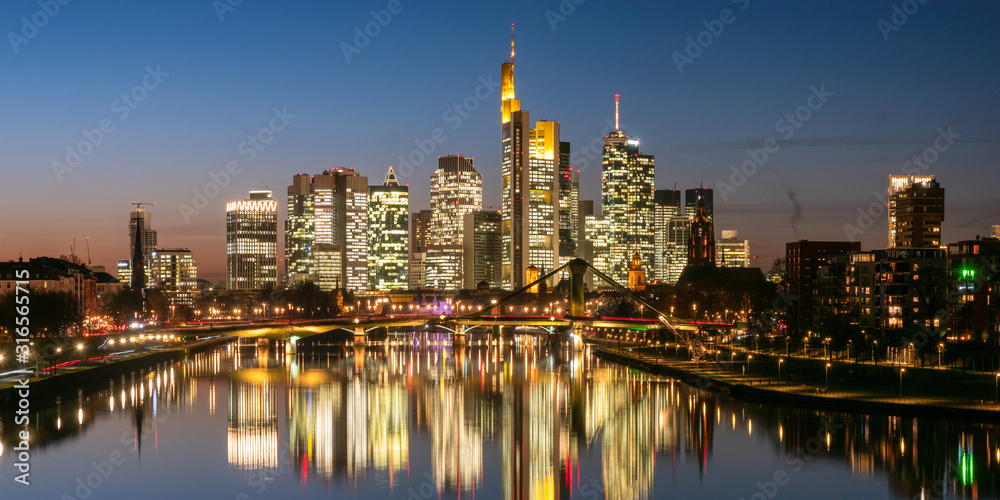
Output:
[[819, 382]]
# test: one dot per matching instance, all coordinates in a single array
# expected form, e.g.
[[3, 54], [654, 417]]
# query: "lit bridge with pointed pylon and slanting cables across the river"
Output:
[[459, 325]]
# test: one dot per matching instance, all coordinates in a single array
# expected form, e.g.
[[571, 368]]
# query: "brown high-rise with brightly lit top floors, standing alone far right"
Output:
[[916, 211]]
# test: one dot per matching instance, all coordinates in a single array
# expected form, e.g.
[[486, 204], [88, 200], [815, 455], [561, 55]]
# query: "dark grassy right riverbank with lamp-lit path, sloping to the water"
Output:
[[949, 399]]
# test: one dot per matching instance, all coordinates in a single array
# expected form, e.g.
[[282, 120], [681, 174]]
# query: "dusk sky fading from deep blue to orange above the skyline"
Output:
[[226, 76]]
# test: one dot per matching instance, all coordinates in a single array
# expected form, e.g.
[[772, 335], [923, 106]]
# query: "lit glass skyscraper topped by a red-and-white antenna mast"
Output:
[[627, 201]]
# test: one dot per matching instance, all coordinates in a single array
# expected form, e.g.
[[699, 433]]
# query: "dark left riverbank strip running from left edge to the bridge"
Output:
[[74, 378]]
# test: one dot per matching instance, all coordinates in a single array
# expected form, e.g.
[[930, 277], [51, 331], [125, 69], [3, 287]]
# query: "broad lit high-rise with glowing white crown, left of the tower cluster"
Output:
[[252, 242]]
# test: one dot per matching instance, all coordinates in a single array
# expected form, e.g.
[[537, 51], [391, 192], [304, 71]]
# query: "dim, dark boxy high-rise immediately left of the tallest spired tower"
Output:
[[482, 252]]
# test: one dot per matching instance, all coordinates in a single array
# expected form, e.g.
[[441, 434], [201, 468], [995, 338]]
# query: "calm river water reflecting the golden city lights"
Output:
[[429, 421]]
